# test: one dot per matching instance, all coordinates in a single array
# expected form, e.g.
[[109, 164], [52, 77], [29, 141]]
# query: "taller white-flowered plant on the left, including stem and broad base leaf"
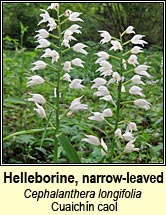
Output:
[[56, 42]]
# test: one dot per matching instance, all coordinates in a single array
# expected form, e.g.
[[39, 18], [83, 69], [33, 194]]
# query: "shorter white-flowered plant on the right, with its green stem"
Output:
[[119, 80]]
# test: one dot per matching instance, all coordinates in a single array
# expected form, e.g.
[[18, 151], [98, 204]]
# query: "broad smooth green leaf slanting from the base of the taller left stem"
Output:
[[67, 146]]
